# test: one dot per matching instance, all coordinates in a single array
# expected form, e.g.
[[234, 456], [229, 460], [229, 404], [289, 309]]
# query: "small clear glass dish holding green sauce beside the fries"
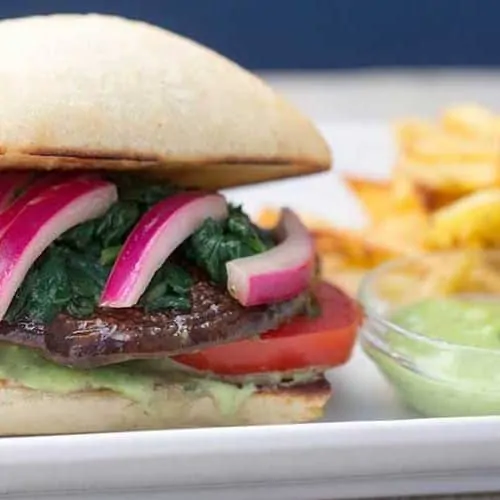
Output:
[[437, 372]]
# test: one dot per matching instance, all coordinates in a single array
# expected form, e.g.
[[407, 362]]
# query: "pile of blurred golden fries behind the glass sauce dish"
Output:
[[443, 193]]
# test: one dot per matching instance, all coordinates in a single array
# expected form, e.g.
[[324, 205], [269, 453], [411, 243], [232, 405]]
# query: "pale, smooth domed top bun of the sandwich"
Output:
[[96, 91]]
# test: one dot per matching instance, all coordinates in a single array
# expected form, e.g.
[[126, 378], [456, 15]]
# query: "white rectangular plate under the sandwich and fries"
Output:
[[369, 445]]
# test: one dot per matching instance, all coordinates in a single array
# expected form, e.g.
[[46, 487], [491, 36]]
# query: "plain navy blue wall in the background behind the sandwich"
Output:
[[309, 34]]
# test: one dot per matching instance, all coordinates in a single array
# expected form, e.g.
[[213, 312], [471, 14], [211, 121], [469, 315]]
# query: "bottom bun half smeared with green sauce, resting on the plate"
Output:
[[29, 412]]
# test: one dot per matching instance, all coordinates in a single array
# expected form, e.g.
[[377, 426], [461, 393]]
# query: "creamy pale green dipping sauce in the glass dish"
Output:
[[452, 368]]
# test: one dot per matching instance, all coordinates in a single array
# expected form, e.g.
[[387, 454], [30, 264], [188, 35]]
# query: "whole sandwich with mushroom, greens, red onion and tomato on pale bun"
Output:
[[133, 294]]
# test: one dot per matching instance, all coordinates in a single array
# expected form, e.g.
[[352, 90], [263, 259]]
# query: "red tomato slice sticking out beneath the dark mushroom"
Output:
[[325, 341]]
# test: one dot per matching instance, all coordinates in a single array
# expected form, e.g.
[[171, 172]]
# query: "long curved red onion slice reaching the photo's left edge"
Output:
[[41, 221]]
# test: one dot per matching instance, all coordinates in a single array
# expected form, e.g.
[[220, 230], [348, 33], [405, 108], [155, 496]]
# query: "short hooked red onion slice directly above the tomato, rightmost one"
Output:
[[278, 274]]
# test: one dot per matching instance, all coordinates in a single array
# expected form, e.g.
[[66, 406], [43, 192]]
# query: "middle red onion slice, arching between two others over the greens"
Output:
[[159, 232]]
